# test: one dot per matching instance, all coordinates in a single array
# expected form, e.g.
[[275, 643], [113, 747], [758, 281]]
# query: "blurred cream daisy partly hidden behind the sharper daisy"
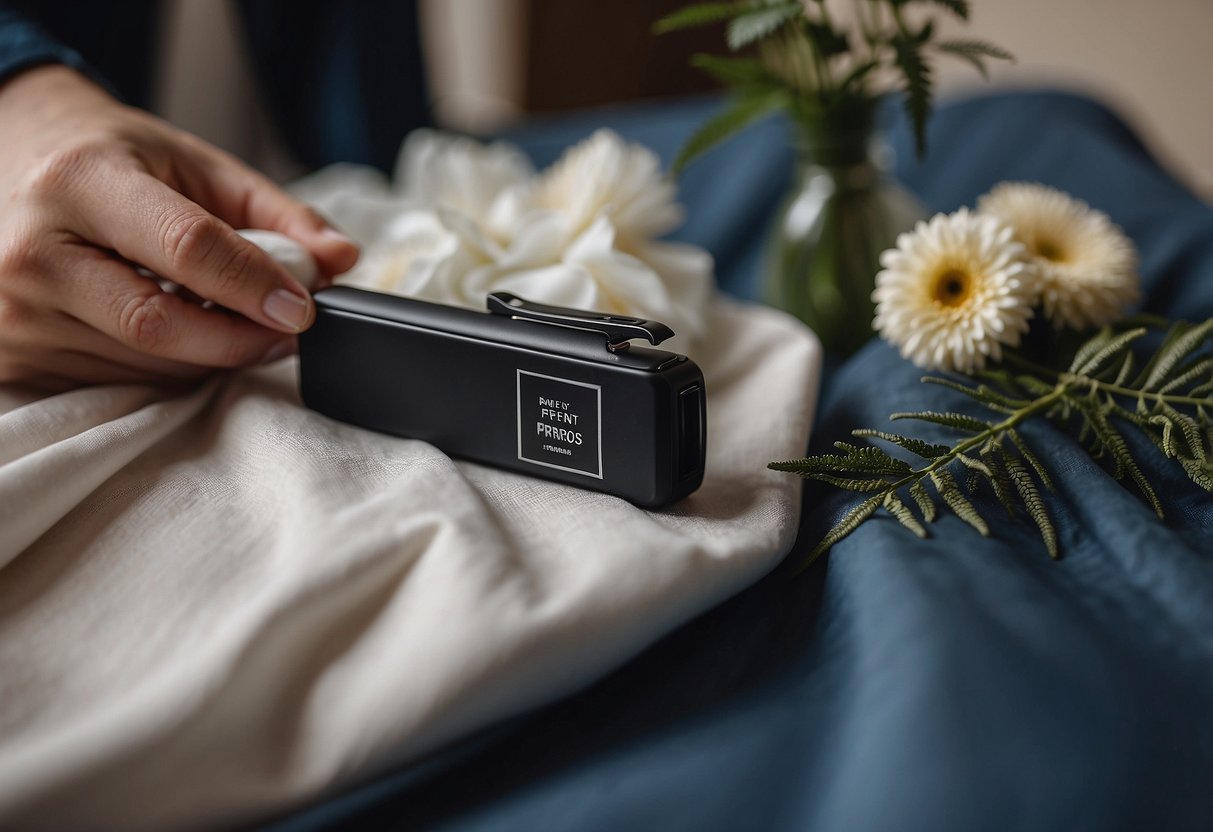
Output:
[[1086, 266]]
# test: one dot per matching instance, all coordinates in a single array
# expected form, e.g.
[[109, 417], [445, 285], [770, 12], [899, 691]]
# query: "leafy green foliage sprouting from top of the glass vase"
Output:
[[819, 66]]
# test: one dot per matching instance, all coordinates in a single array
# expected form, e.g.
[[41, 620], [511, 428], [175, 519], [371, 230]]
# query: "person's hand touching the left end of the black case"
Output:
[[92, 190]]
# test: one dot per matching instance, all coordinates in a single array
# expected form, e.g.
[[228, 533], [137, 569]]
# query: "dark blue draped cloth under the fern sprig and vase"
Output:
[[954, 683]]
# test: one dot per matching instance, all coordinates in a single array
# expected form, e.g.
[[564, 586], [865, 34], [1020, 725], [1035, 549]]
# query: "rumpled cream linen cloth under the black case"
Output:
[[219, 606]]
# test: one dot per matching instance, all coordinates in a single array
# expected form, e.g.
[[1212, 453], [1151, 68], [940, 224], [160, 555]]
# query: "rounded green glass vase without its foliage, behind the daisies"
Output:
[[842, 213]]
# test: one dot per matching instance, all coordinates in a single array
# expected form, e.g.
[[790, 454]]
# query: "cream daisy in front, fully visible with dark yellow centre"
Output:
[[954, 292]]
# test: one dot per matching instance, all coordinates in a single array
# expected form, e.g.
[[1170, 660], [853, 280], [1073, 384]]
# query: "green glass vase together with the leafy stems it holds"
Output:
[[825, 72]]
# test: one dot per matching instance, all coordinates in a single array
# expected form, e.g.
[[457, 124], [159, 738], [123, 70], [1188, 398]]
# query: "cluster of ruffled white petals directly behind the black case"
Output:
[[462, 220]]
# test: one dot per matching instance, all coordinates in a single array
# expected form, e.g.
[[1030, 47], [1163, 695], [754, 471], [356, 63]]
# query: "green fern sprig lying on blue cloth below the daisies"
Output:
[[1170, 402]]
